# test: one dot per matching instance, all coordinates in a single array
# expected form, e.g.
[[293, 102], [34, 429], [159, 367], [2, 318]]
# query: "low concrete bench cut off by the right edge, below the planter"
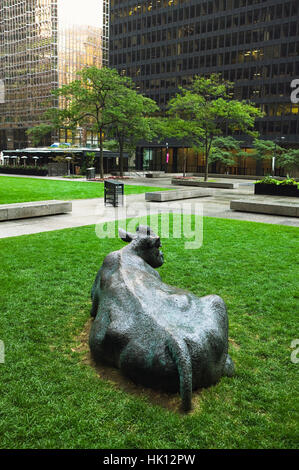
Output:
[[287, 209]]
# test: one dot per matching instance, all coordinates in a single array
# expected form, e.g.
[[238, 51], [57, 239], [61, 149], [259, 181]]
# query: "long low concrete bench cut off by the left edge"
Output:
[[24, 210]]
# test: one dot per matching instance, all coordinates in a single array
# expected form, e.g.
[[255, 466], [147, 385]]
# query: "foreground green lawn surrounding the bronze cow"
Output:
[[51, 398]]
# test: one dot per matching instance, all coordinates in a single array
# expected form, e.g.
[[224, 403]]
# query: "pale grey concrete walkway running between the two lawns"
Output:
[[92, 211]]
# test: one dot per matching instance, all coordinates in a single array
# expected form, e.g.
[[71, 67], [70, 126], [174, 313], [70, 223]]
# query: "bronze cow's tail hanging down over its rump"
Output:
[[180, 354]]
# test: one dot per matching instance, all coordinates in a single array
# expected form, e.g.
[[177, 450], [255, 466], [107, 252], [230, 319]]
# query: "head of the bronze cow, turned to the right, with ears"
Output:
[[146, 244]]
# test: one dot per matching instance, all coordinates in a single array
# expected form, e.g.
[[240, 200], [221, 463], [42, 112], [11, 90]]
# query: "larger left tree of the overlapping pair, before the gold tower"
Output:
[[89, 101]]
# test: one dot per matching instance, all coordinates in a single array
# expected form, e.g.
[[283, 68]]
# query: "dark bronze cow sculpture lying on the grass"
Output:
[[158, 335]]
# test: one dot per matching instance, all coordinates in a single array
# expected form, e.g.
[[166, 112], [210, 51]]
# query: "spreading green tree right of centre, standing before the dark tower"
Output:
[[206, 111]]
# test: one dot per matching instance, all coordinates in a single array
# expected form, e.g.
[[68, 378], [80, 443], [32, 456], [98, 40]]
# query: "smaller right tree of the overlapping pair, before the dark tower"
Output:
[[131, 121]]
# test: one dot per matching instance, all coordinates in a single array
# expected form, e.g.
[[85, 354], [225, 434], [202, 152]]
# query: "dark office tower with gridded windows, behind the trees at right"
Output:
[[162, 44]]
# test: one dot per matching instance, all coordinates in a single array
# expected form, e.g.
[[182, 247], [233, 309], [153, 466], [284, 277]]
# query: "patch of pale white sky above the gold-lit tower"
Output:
[[83, 12]]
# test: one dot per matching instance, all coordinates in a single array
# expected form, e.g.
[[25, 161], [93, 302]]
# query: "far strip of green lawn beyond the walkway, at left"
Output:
[[14, 189]]
